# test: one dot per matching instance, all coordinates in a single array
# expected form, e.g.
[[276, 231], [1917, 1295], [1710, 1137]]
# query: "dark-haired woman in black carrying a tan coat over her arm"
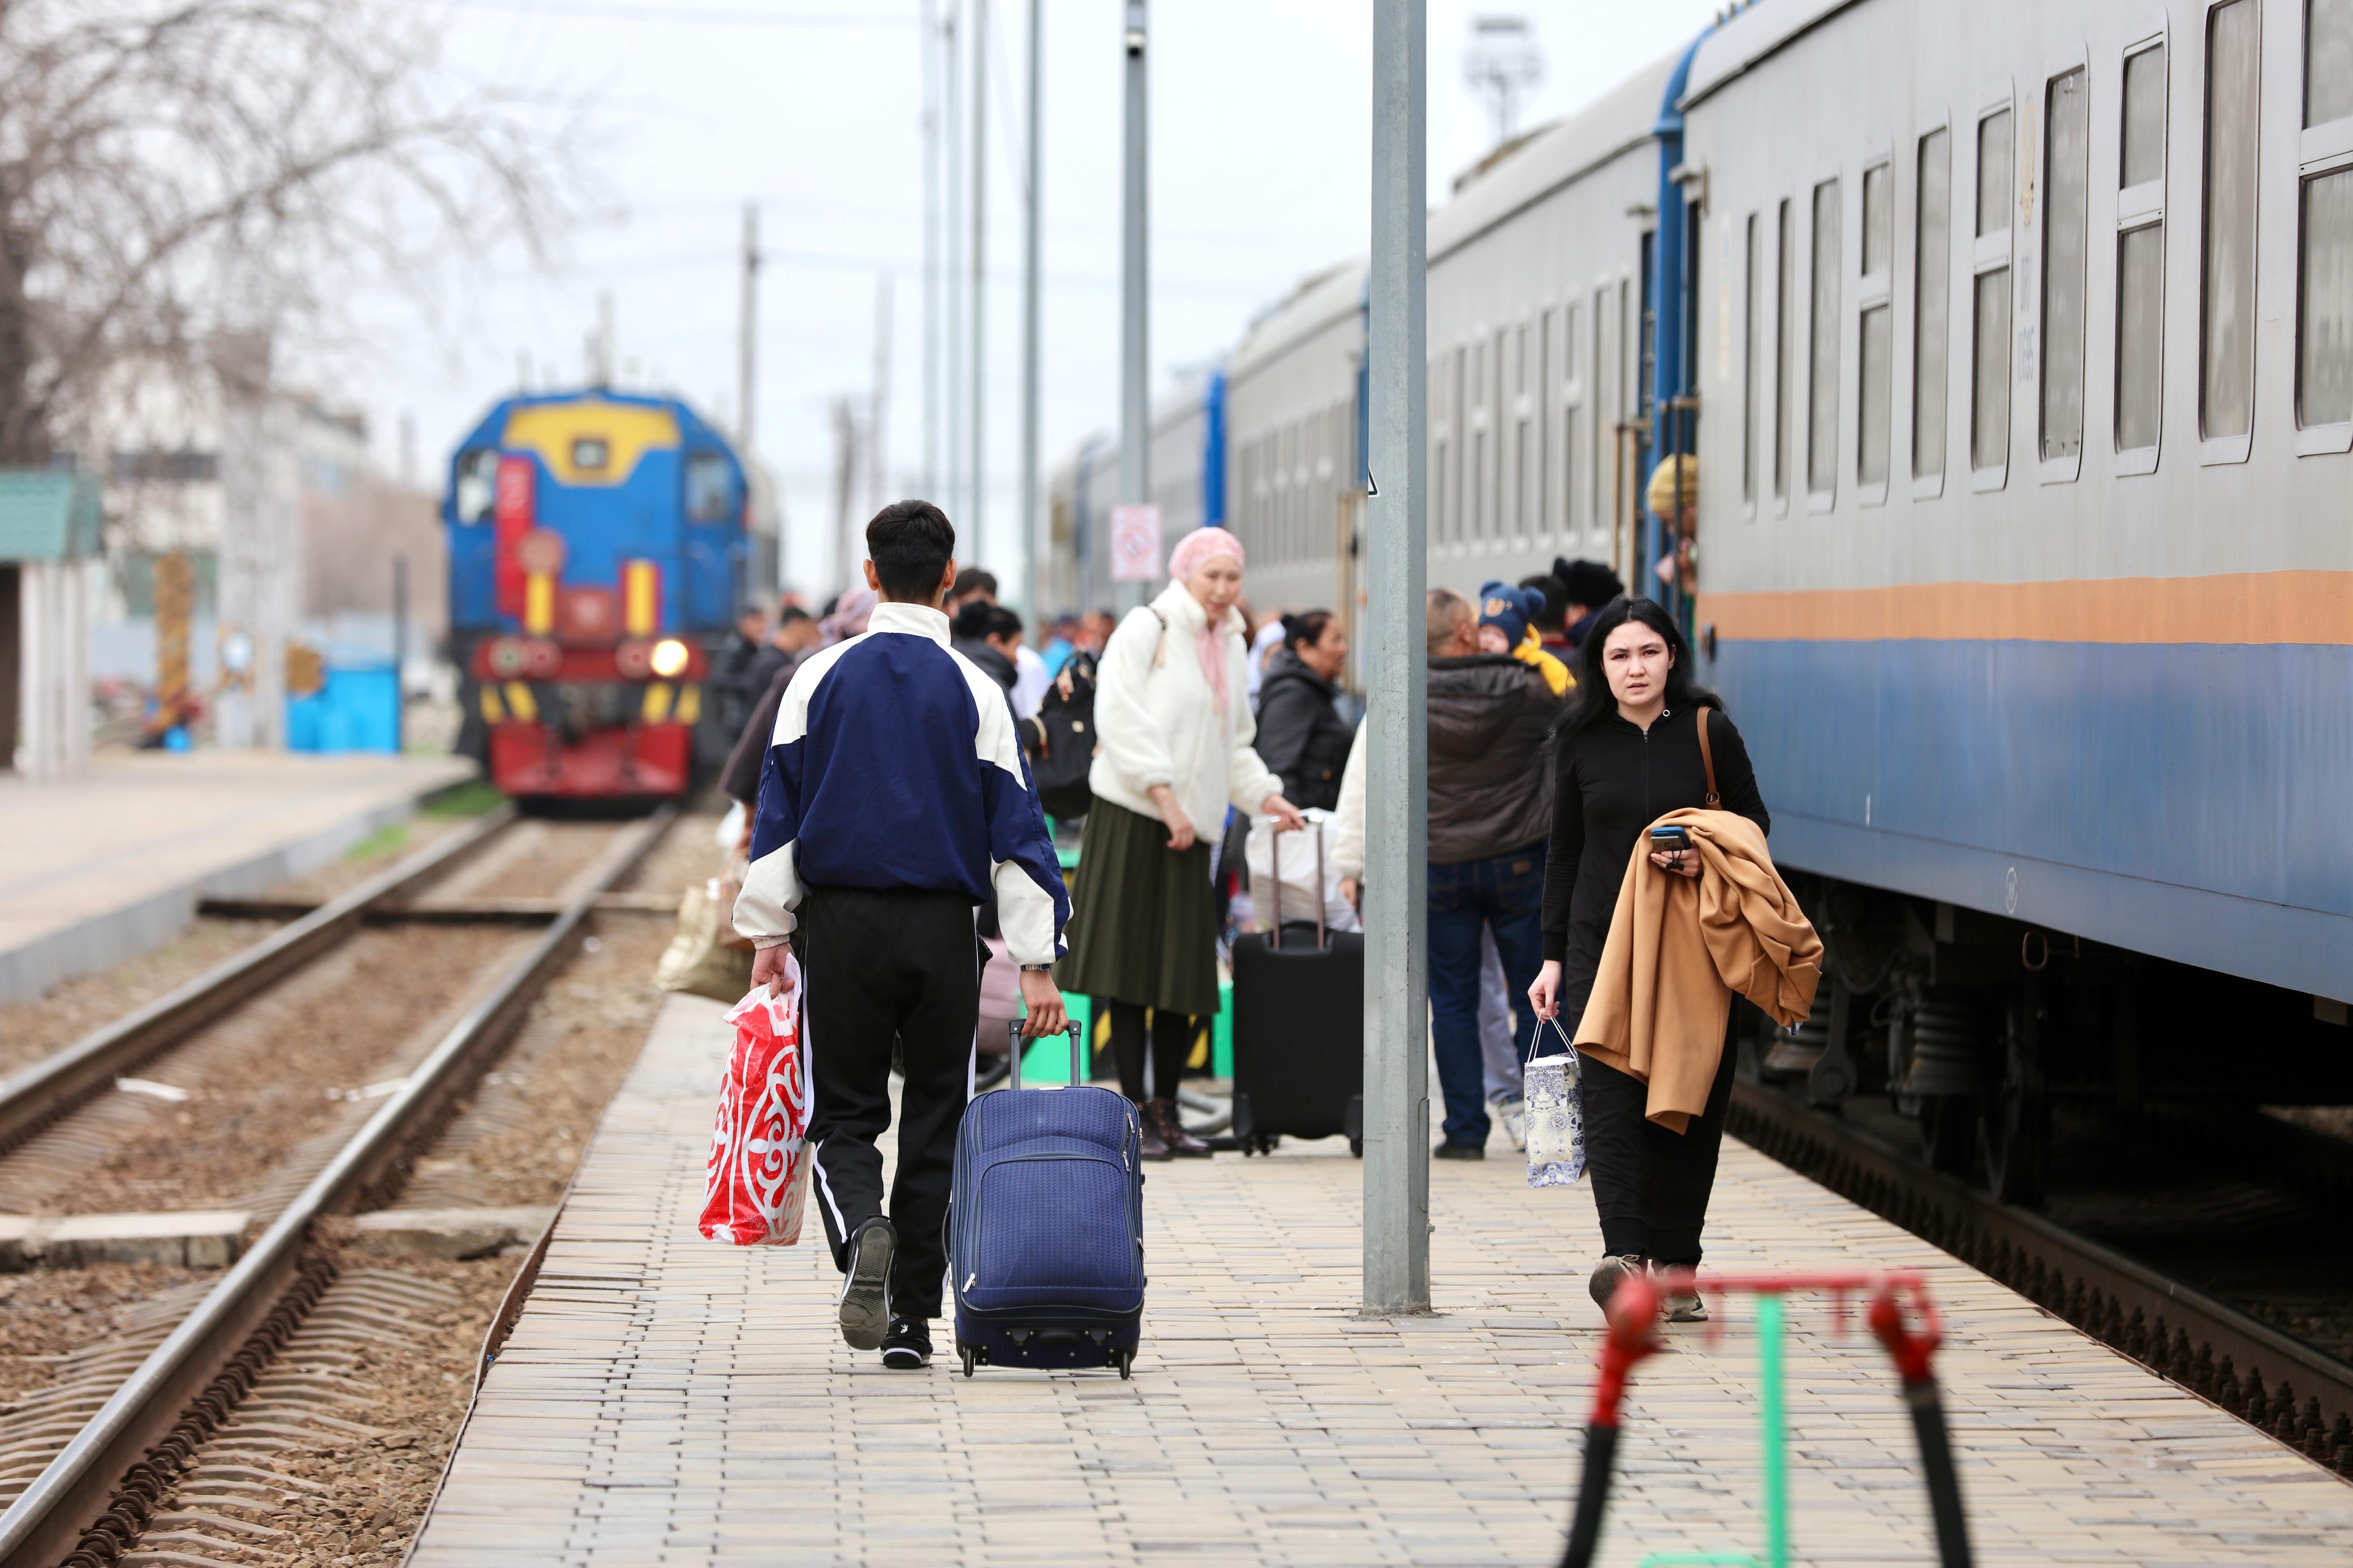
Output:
[[1627, 756]]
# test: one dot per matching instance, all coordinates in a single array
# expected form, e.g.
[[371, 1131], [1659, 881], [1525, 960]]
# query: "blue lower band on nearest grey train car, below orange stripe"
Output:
[[2182, 800]]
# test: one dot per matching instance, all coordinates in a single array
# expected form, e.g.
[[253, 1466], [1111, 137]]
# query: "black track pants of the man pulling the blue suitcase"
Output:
[[891, 967]]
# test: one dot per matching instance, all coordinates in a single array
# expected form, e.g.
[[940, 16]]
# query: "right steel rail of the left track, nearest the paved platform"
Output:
[[114, 1447]]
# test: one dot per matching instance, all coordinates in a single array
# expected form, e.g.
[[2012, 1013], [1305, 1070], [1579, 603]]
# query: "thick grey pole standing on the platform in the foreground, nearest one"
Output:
[[1397, 702]]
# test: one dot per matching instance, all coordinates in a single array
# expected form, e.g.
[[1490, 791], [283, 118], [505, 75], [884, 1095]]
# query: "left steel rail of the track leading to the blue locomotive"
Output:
[[53, 1087]]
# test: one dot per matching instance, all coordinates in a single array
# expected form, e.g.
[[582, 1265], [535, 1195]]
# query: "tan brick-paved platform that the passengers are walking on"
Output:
[[669, 1400]]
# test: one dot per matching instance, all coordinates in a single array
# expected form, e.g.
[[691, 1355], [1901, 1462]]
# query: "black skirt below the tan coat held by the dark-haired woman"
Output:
[[1653, 1186]]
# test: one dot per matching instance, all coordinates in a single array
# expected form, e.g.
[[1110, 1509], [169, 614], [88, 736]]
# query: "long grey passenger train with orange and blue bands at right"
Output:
[[2015, 342]]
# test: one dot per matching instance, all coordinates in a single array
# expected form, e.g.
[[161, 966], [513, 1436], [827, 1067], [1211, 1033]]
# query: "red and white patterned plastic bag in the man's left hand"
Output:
[[759, 1172]]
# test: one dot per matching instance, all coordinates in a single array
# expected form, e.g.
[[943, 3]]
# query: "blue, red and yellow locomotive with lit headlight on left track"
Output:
[[599, 551]]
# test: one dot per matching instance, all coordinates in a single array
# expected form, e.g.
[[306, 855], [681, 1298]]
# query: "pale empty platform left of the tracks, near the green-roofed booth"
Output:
[[109, 866]]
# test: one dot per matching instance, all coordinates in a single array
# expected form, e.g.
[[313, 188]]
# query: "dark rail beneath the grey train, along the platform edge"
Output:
[[2251, 1369]]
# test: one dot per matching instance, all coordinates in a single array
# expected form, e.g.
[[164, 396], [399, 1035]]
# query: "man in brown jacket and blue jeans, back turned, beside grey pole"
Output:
[[1491, 815]]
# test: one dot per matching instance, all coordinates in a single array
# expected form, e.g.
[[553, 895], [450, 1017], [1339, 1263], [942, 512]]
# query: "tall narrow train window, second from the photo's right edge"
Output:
[[2227, 286]]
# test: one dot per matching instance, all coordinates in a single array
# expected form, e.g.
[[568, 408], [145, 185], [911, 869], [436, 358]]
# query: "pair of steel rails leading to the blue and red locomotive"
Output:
[[95, 1499]]
